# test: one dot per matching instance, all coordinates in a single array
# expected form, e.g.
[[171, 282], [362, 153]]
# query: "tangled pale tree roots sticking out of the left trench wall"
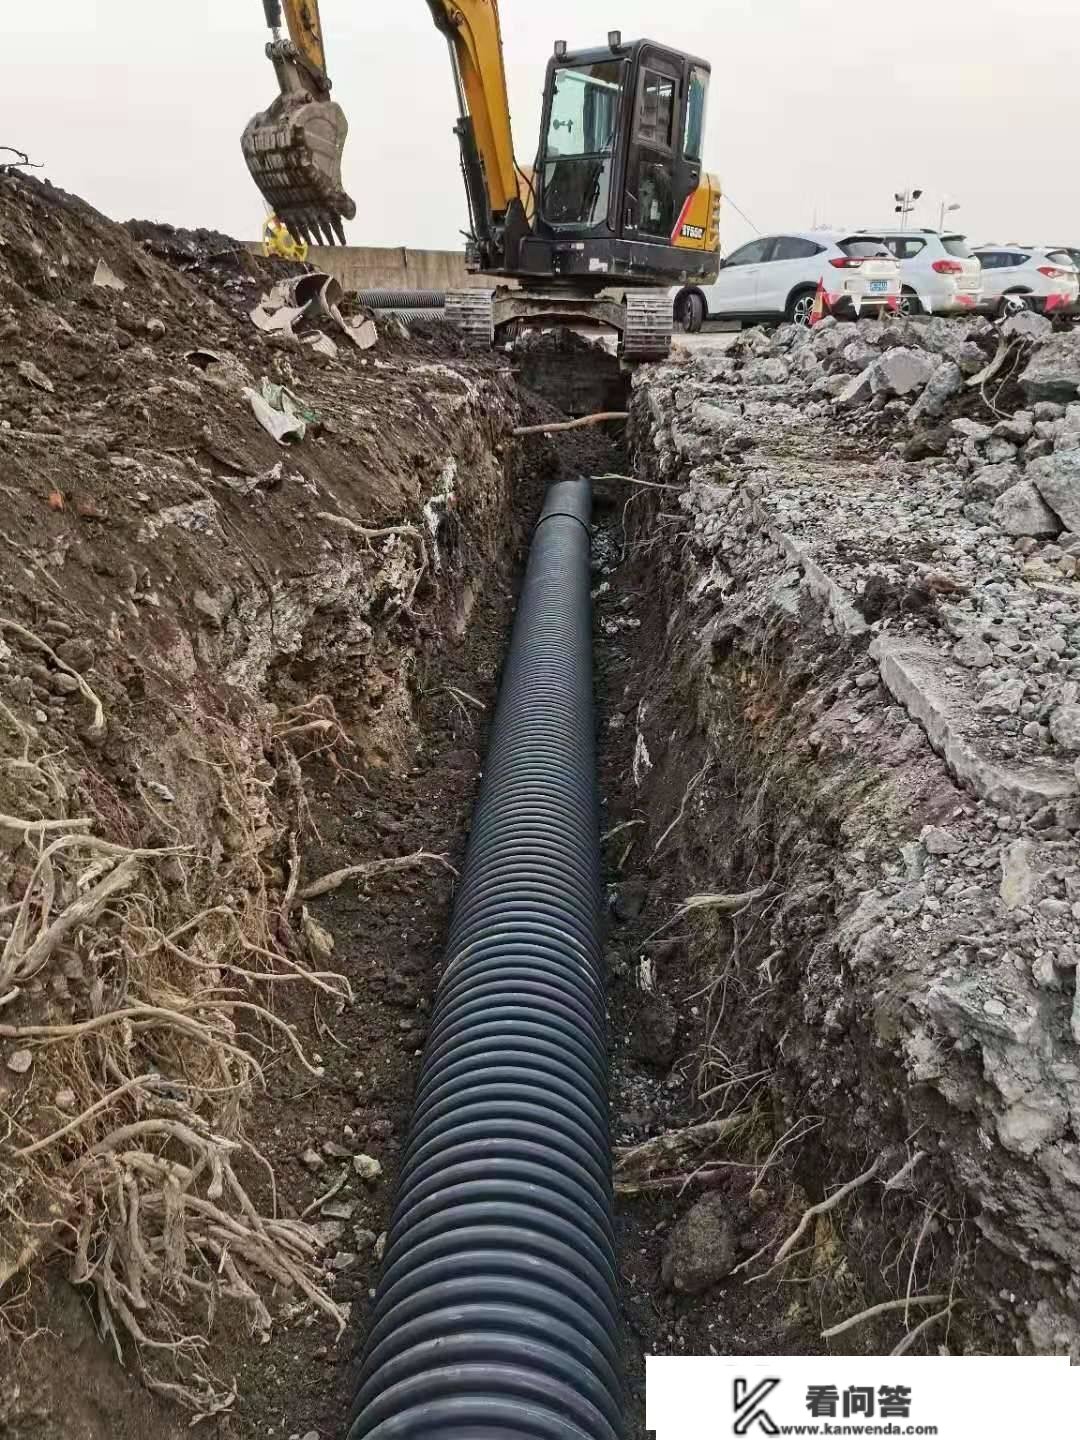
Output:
[[142, 1183]]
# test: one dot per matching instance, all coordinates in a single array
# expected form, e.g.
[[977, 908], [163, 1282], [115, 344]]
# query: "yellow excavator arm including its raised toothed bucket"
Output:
[[294, 148]]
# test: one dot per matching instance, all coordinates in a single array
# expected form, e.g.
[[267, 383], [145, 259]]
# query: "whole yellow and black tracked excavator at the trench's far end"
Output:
[[616, 211]]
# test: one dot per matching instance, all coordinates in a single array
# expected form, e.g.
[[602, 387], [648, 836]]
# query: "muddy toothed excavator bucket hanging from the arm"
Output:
[[294, 155]]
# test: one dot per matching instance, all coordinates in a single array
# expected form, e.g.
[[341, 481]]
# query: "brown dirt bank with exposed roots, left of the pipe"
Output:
[[195, 623]]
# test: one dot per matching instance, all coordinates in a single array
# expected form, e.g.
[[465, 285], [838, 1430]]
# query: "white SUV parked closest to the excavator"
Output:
[[777, 279]]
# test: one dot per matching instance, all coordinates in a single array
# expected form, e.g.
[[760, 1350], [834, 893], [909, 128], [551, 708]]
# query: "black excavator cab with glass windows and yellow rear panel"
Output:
[[620, 189]]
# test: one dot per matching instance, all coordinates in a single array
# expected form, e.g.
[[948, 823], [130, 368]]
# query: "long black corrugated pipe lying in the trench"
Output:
[[498, 1310]]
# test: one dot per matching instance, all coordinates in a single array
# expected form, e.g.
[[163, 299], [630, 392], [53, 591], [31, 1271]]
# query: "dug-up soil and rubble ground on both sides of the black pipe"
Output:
[[256, 593]]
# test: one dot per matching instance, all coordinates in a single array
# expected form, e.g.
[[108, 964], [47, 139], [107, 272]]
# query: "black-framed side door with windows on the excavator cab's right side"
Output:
[[667, 123]]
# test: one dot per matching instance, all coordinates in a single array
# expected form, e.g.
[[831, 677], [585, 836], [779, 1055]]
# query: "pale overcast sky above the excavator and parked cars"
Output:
[[820, 112]]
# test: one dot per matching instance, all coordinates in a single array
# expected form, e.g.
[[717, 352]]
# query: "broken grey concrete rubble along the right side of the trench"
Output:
[[902, 502]]
